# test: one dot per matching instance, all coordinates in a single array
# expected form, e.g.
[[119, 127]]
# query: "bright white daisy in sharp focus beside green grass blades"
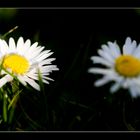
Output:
[[24, 61]]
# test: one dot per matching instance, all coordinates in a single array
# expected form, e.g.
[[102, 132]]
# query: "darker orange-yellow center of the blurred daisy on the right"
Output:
[[128, 65]]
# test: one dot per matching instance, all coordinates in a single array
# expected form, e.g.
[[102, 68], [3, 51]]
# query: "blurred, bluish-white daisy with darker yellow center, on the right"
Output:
[[122, 66]]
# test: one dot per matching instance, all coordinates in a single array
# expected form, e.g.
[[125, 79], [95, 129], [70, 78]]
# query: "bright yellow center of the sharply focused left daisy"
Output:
[[16, 63]]
